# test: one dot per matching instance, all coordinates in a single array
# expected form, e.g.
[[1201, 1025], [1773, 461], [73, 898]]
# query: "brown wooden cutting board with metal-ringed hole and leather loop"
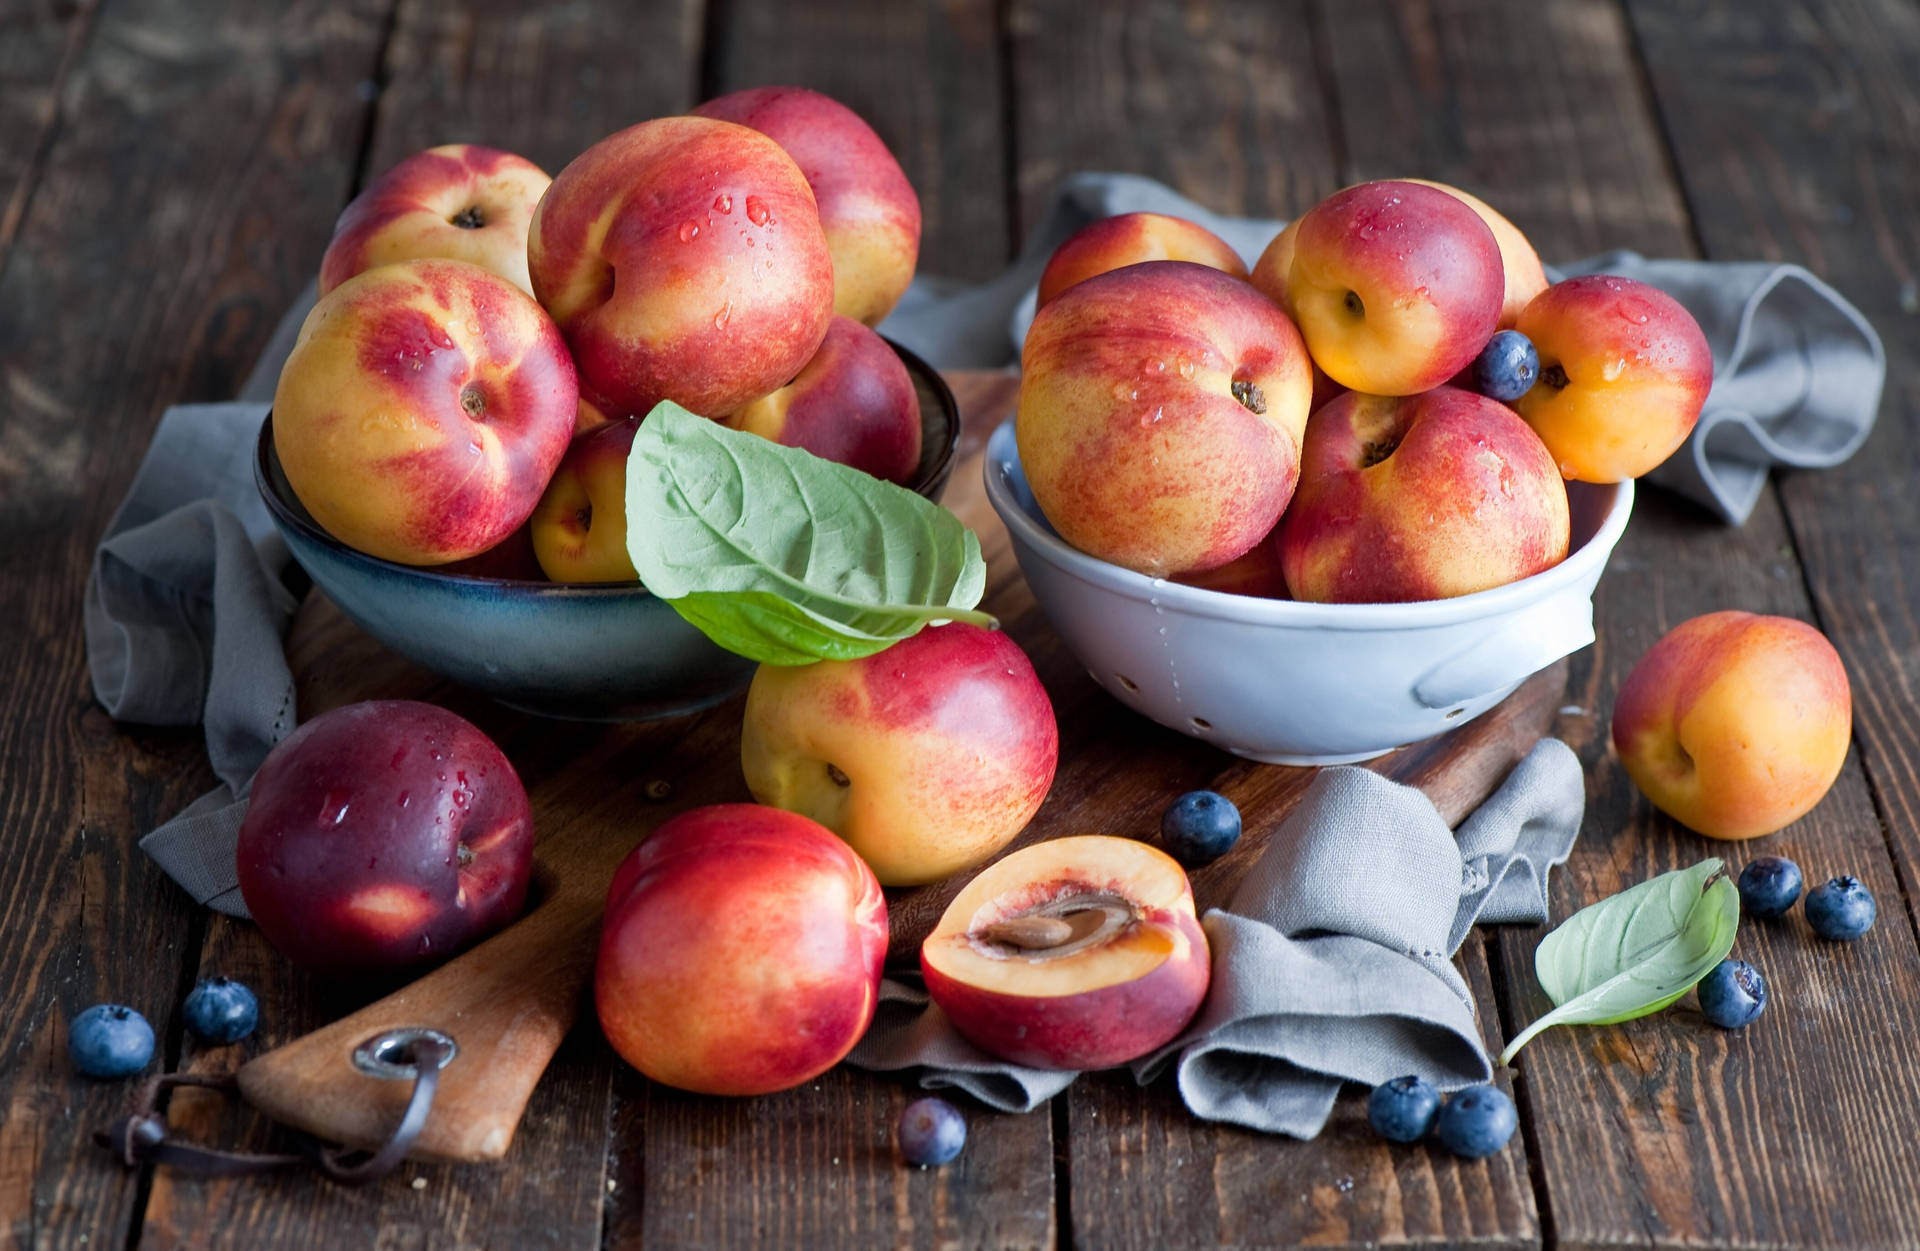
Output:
[[600, 790]]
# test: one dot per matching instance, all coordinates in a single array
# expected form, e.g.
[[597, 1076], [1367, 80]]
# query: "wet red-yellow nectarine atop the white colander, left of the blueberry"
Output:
[[1397, 287]]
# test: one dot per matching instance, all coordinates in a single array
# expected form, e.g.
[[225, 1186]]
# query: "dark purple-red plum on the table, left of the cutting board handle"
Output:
[[385, 836]]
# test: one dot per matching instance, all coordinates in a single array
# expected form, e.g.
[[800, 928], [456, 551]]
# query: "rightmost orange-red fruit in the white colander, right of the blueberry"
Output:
[[1637, 373]]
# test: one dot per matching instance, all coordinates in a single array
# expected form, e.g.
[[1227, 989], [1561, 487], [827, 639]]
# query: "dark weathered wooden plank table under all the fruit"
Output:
[[170, 172]]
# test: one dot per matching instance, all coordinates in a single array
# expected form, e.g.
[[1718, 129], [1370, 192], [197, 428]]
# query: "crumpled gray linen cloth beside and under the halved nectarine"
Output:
[[1333, 962]]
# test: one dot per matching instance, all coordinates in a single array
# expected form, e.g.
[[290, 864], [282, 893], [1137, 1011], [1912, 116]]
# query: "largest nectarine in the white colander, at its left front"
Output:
[[1128, 427]]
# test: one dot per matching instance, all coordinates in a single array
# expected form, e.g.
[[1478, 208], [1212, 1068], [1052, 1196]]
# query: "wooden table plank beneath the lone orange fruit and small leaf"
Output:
[[1635, 1127]]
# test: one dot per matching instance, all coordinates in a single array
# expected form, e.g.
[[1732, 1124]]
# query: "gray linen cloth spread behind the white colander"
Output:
[[1798, 371]]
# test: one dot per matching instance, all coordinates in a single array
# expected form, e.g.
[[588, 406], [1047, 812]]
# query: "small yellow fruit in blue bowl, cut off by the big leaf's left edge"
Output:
[[581, 523]]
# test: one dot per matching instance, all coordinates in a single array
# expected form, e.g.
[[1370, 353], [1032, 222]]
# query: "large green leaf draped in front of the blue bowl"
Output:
[[784, 557]]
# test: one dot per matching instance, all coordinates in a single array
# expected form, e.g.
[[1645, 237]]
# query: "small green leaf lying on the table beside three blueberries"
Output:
[[1637, 953]]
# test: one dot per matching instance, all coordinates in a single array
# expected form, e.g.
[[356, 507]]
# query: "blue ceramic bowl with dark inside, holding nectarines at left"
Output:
[[596, 653]]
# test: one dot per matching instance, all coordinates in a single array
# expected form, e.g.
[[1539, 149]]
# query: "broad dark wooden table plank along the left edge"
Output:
[[147, 268]]
